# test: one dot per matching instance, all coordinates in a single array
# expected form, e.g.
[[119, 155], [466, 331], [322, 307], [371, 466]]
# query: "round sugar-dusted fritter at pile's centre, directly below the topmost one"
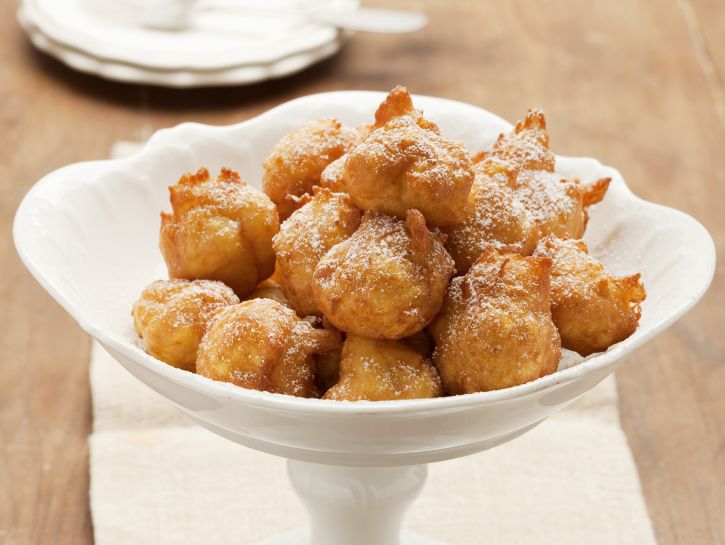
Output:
[[387, 281]]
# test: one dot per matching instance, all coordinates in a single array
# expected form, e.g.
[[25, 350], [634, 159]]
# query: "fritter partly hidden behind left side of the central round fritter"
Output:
[[324, 221]]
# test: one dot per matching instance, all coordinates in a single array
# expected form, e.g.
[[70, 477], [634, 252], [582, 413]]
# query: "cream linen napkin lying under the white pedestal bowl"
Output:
[[158, 480]]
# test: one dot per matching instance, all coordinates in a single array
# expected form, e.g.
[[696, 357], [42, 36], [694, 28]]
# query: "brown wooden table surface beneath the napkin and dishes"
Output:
[[639, 84]]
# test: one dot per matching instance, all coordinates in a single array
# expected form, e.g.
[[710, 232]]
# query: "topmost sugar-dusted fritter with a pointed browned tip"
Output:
[[405, 162]]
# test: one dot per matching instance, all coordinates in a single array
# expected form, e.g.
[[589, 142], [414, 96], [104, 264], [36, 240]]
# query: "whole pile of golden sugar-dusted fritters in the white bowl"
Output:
[[402, 267]]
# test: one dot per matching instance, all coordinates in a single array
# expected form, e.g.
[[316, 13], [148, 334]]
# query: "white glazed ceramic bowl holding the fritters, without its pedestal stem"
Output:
[[89, 234]]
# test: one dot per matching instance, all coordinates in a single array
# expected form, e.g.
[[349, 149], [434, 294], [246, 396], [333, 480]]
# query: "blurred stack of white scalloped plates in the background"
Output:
[[232, 48]]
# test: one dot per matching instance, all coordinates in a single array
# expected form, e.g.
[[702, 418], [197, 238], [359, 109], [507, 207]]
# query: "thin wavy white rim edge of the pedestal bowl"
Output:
[[329, 407]]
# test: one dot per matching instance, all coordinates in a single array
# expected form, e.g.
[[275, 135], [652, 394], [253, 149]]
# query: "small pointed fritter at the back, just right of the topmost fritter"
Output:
[[525, 147]]
